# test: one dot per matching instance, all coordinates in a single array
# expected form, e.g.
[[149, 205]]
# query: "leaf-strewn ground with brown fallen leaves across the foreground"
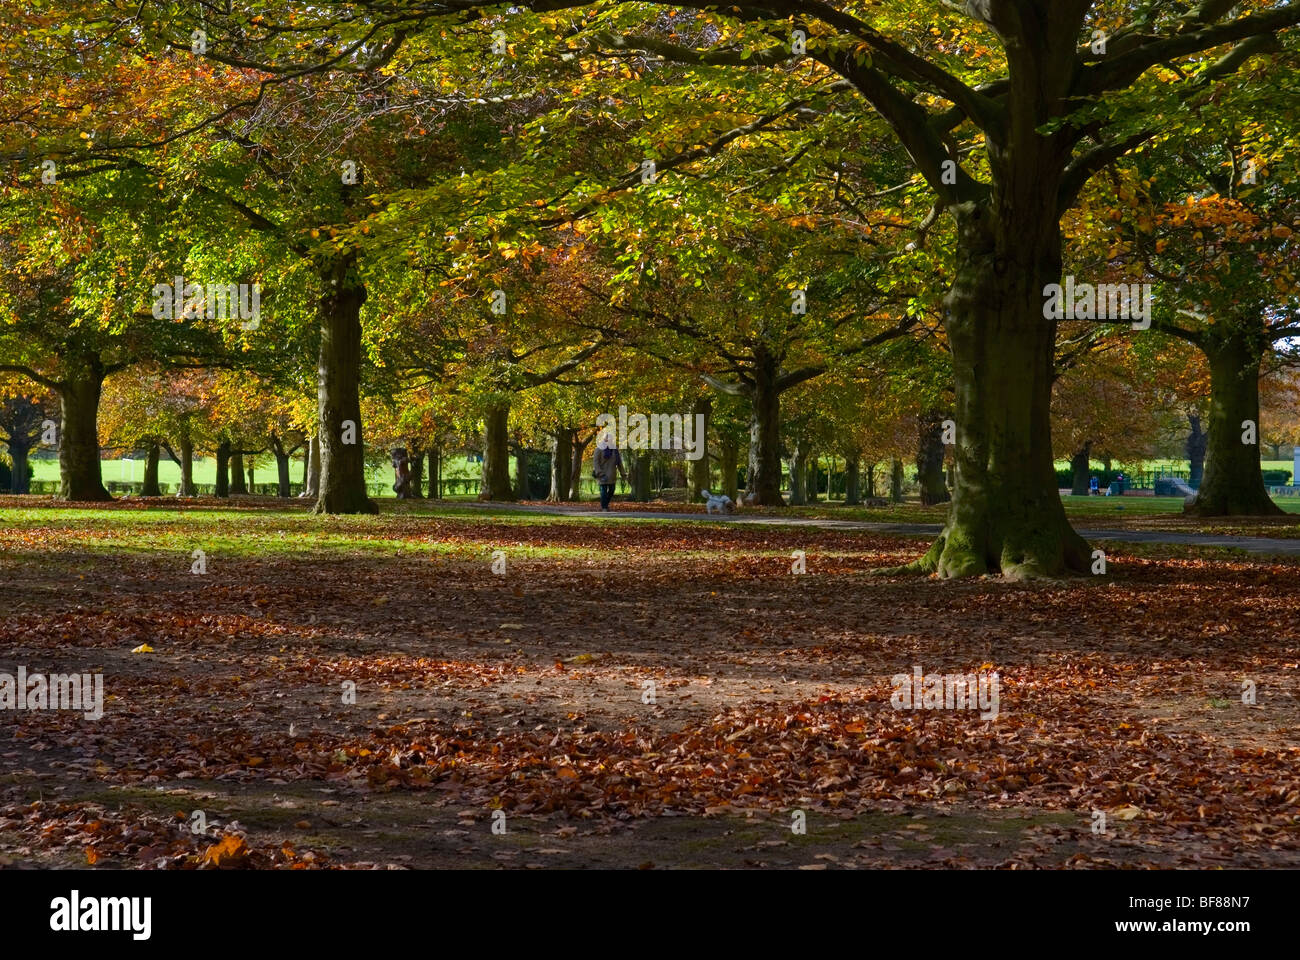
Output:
[[665, 695]]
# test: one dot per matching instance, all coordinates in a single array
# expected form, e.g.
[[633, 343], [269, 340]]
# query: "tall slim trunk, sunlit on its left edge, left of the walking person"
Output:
[[343, 483]]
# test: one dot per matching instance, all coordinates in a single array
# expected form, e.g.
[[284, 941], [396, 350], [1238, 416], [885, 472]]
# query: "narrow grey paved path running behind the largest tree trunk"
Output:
[[1263, 546]]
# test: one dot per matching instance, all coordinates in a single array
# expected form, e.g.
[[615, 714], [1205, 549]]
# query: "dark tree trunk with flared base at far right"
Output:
[[1233, 485]]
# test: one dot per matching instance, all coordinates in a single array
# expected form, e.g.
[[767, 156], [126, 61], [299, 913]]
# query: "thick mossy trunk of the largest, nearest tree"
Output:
[[1007, 513]]
